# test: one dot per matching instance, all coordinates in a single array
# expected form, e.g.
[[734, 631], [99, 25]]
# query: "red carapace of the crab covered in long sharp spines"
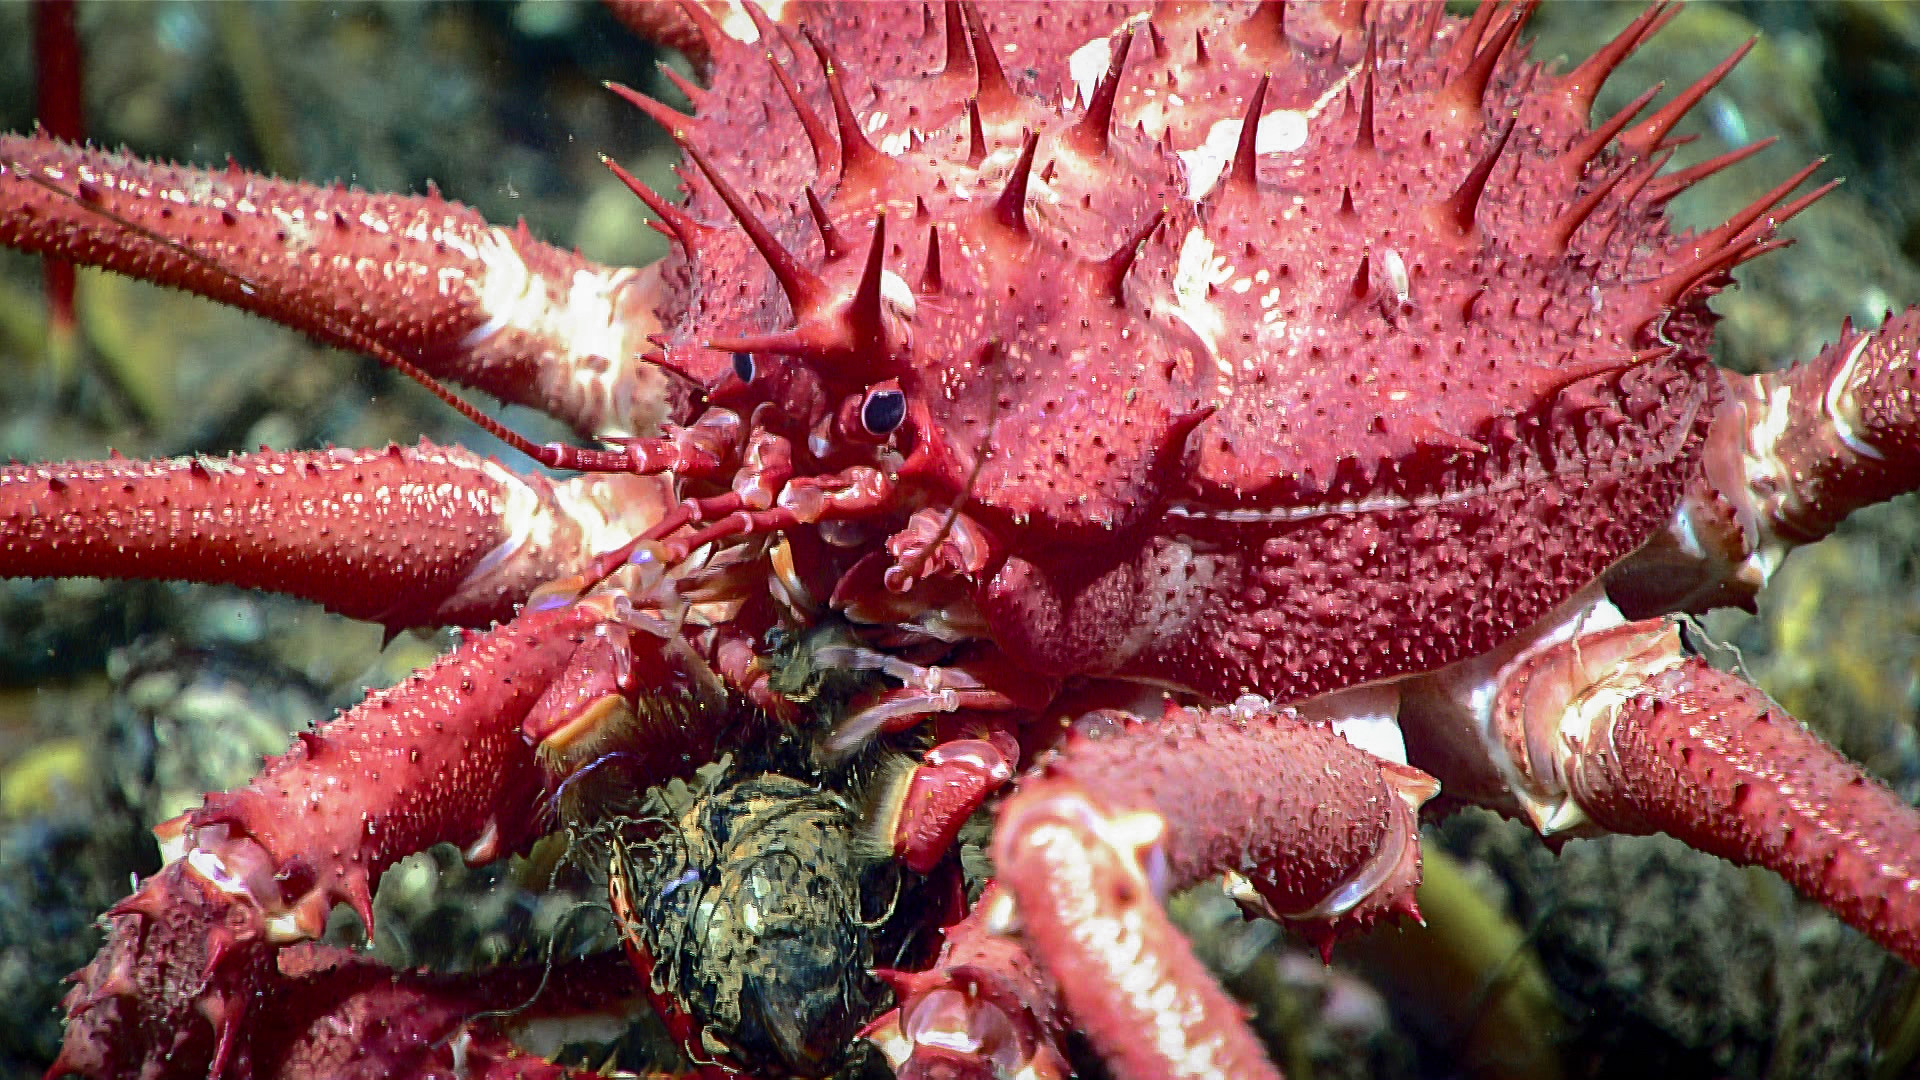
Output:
[[1278, 406]]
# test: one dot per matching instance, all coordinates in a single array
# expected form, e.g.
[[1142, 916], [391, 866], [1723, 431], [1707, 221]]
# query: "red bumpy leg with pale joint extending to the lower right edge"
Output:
[[1625, 731]]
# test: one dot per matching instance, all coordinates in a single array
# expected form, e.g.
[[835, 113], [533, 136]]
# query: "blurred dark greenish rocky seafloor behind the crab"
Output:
[[122, 702]]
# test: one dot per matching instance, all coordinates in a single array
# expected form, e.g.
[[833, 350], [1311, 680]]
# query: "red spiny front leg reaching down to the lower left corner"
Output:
[[439, 758]]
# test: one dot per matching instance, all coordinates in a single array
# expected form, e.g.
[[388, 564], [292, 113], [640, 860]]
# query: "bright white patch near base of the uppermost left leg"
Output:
[[583, 318]]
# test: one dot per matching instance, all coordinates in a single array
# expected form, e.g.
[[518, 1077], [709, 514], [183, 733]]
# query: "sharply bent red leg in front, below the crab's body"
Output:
[[1307, 827]]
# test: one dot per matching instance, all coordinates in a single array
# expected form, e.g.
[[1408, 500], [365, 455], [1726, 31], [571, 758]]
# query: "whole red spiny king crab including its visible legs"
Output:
[[1243, 420]]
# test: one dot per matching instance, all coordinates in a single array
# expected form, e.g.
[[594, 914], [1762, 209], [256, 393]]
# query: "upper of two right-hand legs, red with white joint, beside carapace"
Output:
[[1790, 454]]
